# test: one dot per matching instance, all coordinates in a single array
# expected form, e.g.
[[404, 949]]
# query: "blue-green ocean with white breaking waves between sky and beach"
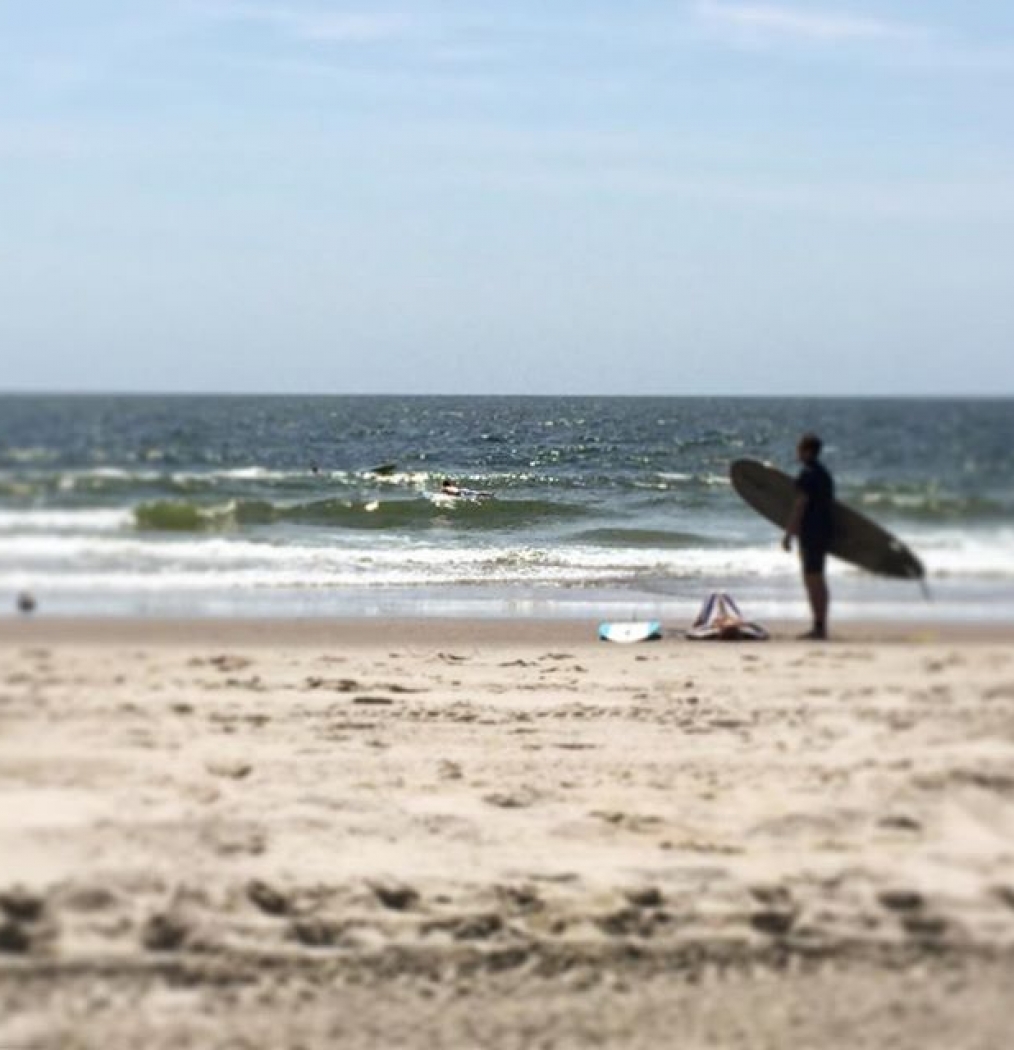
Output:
[[603, 508]]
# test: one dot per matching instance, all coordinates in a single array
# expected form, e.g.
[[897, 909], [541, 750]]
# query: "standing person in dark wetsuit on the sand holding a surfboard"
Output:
[[811, 526]]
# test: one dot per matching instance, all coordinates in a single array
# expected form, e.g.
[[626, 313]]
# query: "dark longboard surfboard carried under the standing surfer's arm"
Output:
[[856, 539]]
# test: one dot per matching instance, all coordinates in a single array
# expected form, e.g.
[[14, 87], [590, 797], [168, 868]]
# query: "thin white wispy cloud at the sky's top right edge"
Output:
[[760, 22]]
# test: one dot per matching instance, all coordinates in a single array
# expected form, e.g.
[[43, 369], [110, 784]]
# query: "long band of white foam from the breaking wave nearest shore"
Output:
[[75, 541]]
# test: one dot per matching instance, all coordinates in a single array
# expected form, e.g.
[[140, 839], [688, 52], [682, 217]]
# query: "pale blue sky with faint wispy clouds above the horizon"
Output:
[[416, 197]]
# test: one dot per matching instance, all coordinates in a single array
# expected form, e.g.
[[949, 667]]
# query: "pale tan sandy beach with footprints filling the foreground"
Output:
[[503, 835]]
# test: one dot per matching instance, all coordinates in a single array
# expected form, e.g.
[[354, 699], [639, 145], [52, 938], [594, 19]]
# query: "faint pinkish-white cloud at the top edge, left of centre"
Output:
[[316, 26]]
